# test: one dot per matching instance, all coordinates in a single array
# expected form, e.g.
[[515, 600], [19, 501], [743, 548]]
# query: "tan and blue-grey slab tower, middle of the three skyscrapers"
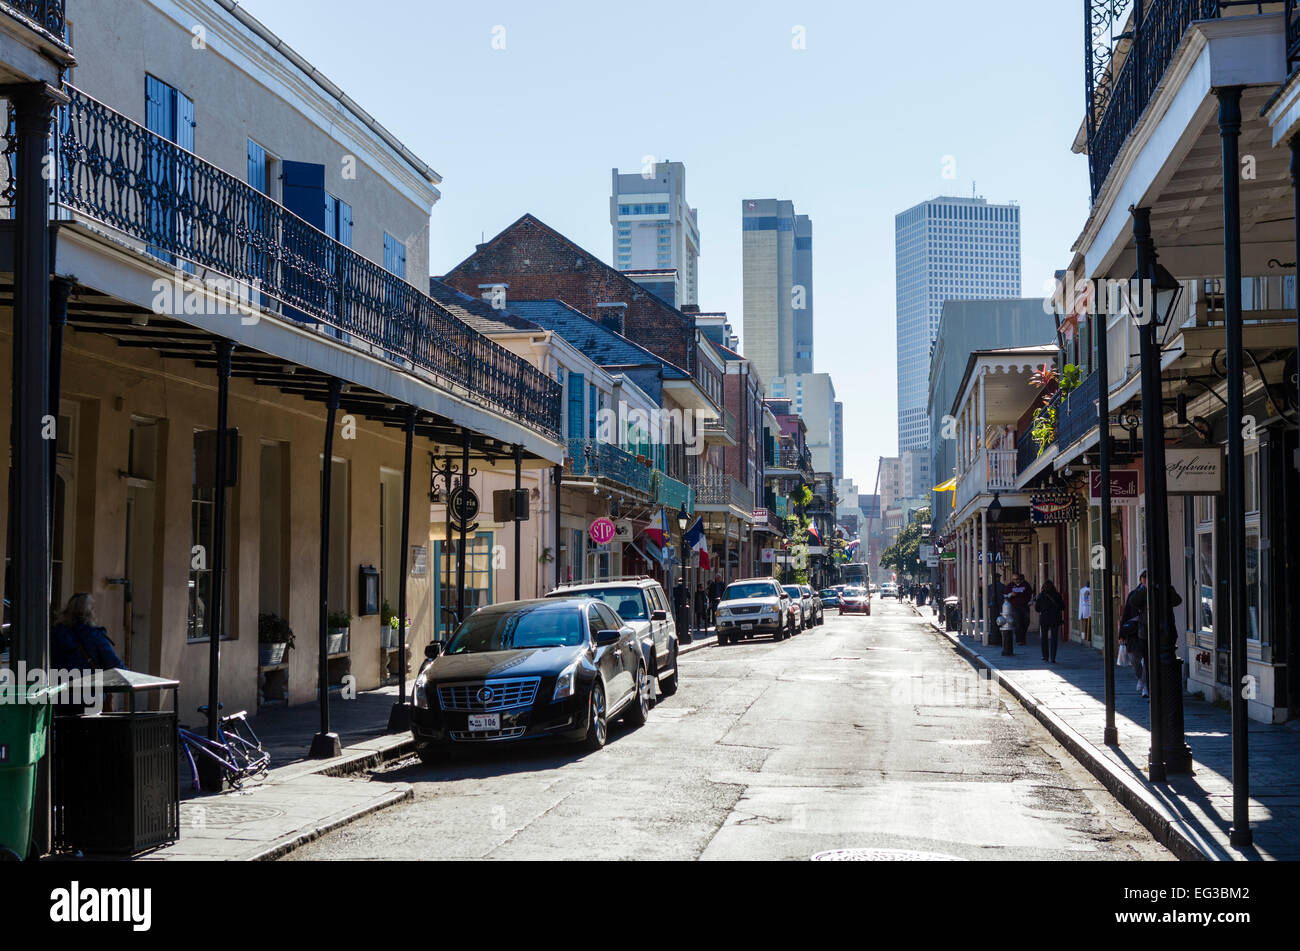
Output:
[[778, 266]]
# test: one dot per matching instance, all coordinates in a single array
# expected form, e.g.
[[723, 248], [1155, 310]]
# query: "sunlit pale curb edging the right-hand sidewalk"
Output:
[[1130, 792]]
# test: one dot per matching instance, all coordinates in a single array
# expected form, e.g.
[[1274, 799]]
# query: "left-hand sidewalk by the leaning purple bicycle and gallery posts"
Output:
[[302, 800]]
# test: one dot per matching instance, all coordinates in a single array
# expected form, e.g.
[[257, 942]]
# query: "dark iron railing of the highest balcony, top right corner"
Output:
[[1124, 67]]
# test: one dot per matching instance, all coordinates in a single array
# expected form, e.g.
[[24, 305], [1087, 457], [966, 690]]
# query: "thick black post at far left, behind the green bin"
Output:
[[32, 502]]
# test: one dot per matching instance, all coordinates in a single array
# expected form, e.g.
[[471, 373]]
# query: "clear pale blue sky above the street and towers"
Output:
[[853, 129]]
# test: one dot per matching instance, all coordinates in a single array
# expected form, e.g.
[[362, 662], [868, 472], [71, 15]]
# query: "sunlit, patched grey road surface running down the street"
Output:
[[864, 733]]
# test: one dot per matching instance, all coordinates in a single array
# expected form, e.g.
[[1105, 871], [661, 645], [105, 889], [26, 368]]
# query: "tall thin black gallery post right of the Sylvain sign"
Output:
[[1230, 132]]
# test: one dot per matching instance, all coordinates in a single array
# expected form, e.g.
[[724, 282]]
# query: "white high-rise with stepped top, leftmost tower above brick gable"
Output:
[[655, 229]]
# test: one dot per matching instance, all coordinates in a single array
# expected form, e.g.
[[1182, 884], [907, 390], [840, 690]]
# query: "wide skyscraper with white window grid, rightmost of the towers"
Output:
[[948, 249]]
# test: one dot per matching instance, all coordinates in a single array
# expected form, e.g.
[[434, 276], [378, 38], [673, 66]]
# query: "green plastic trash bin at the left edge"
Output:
[[24, 728]]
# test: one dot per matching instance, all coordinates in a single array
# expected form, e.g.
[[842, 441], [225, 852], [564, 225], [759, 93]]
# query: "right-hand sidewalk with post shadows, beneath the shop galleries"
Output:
[[1190, 814]]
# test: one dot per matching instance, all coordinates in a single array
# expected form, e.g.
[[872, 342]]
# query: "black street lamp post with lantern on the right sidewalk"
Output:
[[1158, 293]]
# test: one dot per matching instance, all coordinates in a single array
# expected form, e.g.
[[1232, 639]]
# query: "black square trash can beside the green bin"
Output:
[[116, 779]]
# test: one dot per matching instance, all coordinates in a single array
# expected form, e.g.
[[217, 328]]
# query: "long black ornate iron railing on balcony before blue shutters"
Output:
[[190, 214]]
